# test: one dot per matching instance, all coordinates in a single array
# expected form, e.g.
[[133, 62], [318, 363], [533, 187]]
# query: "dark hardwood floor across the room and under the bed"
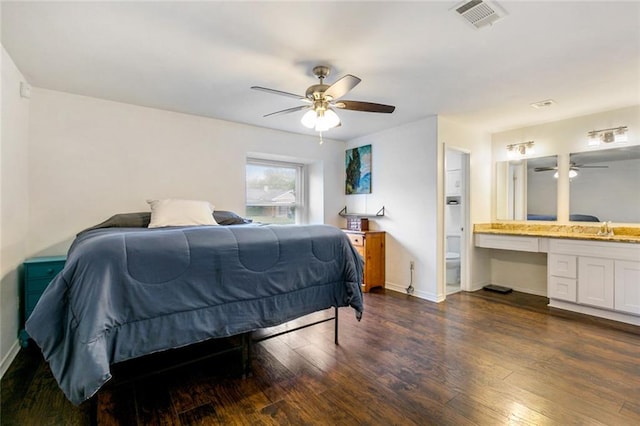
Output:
[[478, 358]]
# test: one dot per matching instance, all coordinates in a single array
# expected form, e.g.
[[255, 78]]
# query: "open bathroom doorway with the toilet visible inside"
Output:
[[456, 216]]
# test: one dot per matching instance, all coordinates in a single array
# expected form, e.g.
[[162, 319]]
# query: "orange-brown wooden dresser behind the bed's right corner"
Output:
[[370, 245]]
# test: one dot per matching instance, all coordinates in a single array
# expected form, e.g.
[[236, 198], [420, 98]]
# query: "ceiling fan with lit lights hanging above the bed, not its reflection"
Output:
[[321, 100]]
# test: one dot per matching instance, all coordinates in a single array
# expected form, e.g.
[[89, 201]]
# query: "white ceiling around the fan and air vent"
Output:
[[202, 58]]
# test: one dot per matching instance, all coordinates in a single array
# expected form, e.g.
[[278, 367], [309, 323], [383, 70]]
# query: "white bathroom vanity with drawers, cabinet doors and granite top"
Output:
[[586, 273]]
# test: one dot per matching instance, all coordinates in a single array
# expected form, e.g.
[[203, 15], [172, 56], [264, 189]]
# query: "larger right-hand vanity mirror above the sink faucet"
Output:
[[607, 185]]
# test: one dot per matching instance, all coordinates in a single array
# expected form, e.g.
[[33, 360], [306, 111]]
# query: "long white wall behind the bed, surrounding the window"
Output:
[[91, 158]]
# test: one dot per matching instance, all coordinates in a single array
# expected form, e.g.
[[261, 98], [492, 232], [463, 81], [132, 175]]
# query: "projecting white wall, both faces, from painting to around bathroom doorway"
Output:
[[407, 179]]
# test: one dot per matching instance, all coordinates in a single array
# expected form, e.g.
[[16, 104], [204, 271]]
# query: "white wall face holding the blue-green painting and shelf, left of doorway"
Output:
[[404, 181]]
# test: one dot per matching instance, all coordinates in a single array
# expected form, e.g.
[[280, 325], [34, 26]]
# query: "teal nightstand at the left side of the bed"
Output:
[[38, 273]]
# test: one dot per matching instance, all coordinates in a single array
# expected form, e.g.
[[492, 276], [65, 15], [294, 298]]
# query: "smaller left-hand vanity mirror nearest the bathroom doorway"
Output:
[[526, 189]]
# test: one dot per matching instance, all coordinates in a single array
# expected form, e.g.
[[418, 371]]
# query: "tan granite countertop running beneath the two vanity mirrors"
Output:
[[623, 234]]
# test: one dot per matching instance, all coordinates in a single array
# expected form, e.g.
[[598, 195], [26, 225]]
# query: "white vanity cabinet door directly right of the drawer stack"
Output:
[[595, 282]]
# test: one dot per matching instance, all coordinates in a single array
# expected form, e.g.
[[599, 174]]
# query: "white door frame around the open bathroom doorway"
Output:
[[465, 213]]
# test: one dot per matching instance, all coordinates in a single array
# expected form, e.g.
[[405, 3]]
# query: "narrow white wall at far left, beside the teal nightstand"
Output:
[[14, 204]]
